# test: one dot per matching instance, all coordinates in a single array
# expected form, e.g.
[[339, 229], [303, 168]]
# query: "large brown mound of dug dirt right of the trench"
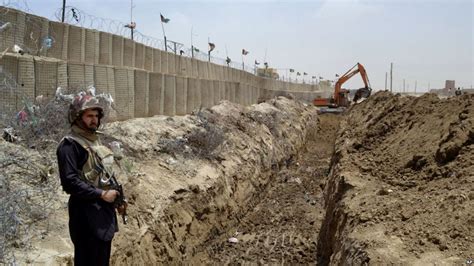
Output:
[[401, 183]]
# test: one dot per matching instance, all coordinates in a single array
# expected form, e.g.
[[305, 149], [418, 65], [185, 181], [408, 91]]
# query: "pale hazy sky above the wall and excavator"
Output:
[[428, 41]]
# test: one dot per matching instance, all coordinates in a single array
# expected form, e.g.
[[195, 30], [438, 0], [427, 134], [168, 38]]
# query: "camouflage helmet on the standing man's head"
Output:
[[82, 102]]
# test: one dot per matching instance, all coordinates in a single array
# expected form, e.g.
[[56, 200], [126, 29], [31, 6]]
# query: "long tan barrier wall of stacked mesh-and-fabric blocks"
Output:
[[143, 80]]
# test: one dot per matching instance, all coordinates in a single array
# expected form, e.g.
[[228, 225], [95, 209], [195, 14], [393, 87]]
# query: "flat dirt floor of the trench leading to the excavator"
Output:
[[281, 226]]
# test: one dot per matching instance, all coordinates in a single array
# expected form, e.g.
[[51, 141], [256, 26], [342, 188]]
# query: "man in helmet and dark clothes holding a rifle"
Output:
[[85, 168]]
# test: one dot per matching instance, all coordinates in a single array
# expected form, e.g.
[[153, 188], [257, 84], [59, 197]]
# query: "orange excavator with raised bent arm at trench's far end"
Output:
[[341, 96]]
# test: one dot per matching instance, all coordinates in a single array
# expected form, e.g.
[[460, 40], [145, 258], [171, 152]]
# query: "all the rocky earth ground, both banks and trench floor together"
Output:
[[389, 182]]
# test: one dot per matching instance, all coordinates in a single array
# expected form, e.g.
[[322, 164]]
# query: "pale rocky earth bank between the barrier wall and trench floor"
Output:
[[187, 179]]
